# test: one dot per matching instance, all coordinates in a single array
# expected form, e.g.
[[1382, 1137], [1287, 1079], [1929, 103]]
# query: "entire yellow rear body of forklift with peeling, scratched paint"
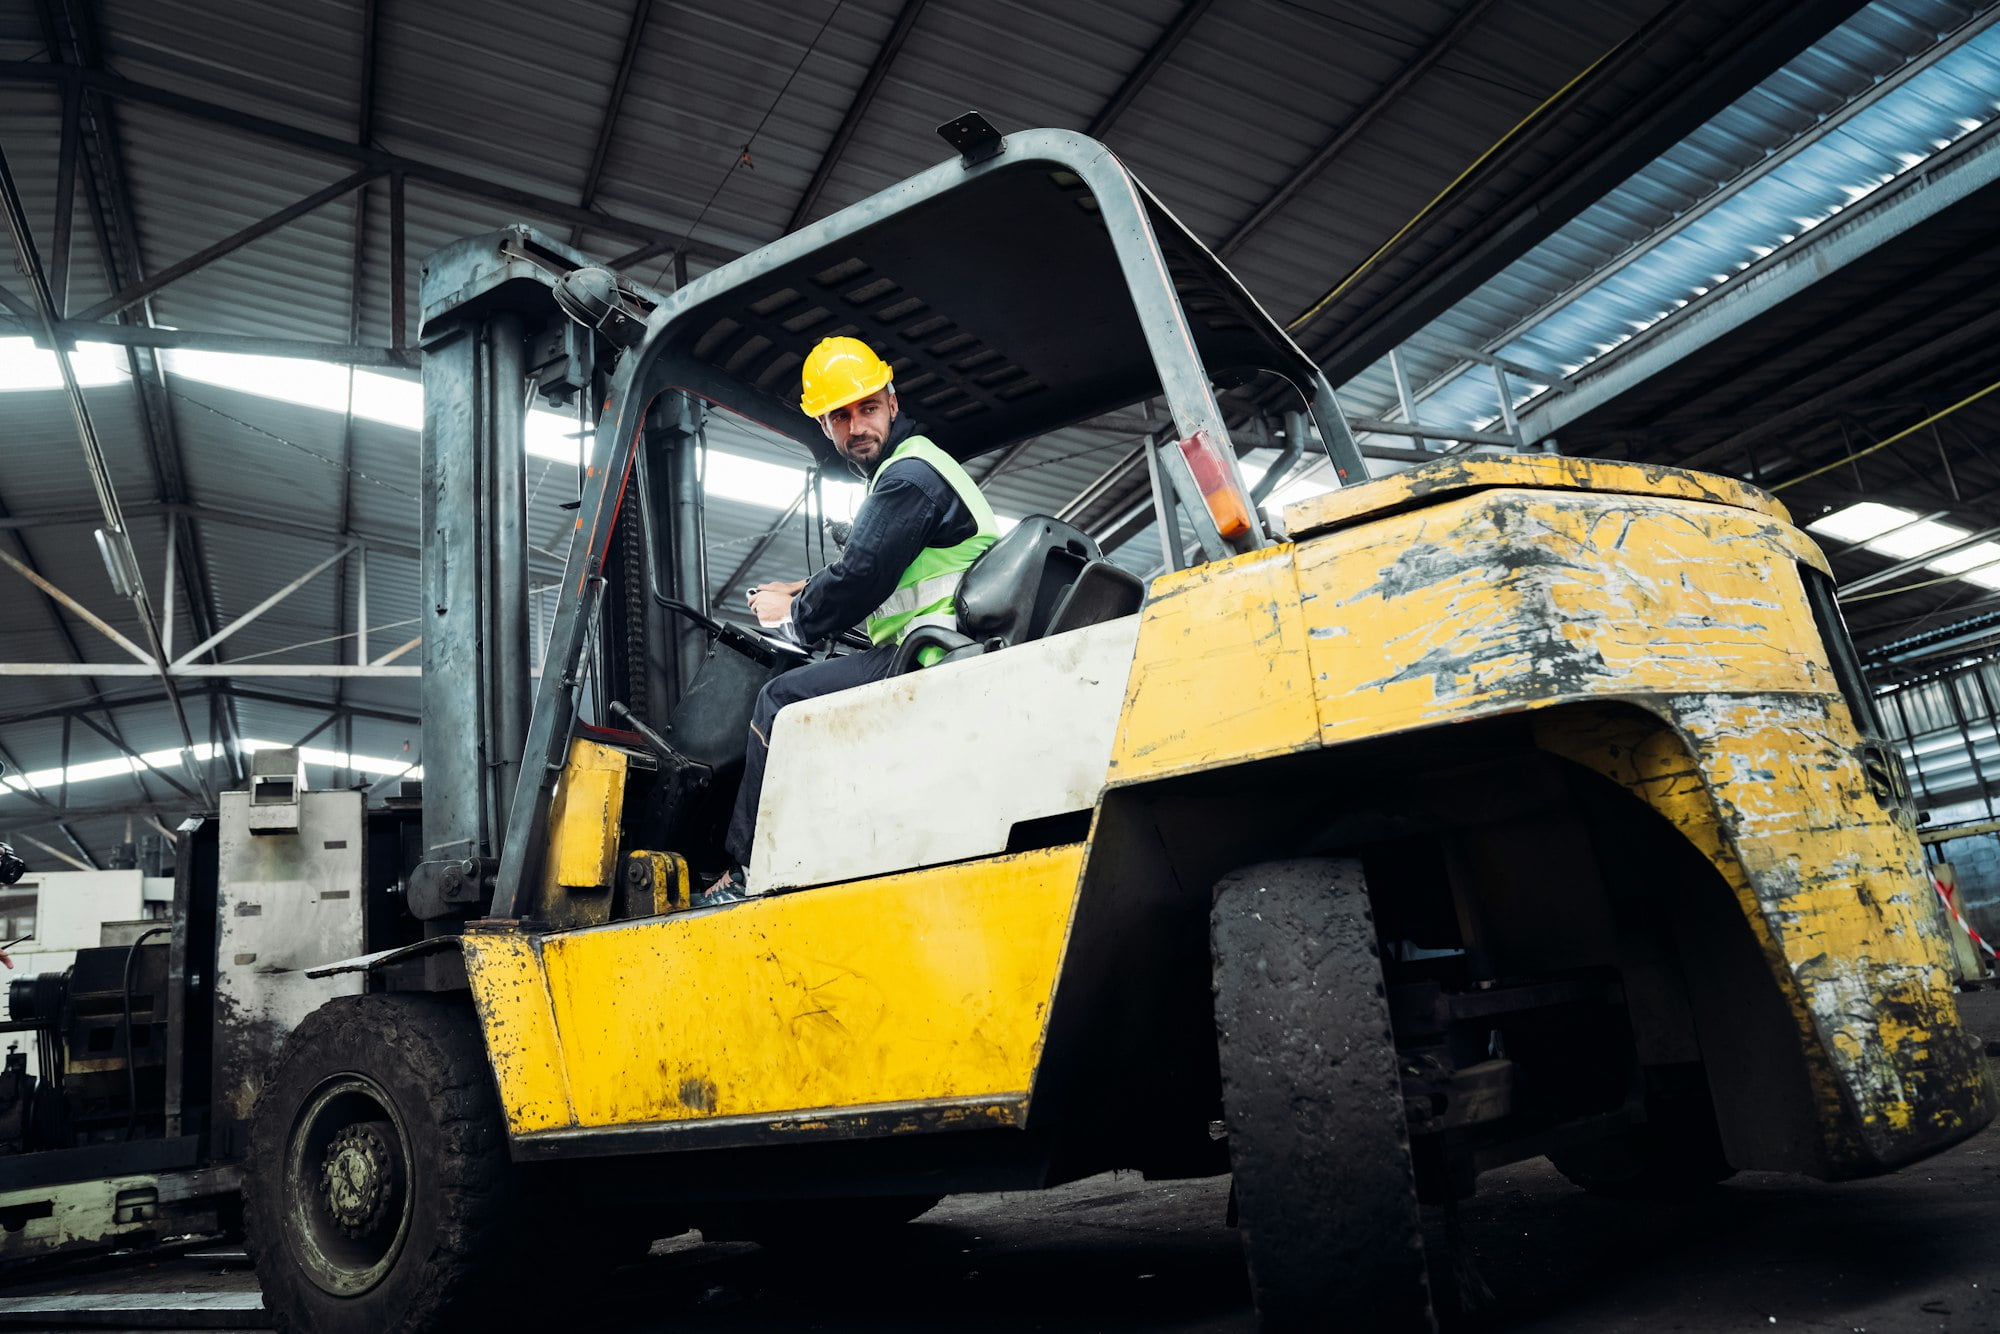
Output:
[[1469, 597]]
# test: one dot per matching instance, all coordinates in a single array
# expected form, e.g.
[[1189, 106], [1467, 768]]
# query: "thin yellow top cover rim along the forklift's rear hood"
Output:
[[1451, 477]]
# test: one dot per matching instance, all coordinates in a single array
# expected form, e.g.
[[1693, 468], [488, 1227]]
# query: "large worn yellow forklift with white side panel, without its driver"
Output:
[[1507, 807]]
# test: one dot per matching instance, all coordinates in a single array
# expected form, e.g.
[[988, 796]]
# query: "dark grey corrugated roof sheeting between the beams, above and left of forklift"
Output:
[[517, 95]]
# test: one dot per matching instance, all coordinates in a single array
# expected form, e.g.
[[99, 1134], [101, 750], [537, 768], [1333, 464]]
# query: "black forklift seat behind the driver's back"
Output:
[[1041, 579]]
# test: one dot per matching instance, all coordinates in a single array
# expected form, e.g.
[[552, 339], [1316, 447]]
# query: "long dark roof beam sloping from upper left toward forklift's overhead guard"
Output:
[[341, 151]]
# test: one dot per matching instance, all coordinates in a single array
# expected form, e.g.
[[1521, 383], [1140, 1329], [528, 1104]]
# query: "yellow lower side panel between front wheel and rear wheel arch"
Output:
[[917, 987]]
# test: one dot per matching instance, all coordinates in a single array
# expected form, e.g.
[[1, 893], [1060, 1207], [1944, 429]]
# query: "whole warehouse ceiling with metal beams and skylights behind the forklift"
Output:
[[1465, 185]]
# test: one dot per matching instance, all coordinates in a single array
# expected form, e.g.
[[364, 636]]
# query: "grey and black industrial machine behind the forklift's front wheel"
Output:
[[149, 1049]]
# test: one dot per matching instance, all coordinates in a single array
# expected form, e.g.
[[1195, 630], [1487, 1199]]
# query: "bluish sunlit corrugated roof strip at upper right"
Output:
[[1901, 79]]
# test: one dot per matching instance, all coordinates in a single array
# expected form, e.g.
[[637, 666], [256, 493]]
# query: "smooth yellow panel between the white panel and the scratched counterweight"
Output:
[[1219, 673]]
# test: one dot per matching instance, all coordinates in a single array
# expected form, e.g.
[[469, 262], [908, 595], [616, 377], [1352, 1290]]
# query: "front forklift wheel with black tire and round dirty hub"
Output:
[[379, 1189]]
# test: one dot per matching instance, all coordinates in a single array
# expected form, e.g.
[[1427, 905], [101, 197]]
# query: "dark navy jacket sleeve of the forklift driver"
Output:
[[899, 519]]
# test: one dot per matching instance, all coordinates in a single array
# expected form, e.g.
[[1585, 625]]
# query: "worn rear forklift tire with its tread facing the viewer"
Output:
[[1313, 1103]]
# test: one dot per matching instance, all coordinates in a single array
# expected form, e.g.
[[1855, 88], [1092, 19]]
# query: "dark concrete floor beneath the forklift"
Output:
[[1919, 1251]]
